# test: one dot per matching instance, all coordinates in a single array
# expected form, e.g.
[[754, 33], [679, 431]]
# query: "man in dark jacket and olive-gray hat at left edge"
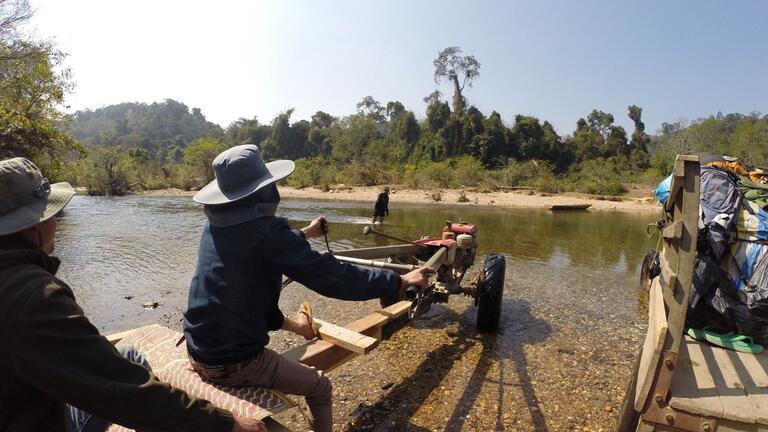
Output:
[[51, 354]]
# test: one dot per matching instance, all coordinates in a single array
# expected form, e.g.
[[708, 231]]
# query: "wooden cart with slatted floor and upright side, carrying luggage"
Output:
[[680, 384]]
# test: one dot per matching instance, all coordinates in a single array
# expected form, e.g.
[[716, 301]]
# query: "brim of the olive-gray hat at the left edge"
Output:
[[38, 211]]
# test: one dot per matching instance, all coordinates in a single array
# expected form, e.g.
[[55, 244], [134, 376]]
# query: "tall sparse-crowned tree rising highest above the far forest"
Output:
[[460, 70]]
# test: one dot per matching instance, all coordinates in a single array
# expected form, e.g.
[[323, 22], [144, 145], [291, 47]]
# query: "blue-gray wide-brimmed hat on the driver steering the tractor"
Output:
[[240, 172]]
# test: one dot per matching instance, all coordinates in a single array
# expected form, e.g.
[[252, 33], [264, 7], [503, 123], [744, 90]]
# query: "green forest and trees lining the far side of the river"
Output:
[[132, 146]]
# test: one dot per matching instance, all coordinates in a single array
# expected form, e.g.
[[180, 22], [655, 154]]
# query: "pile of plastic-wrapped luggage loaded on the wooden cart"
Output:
[[730, 283]]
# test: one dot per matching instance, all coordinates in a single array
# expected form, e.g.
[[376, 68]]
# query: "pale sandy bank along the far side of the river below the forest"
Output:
[[506, 199]]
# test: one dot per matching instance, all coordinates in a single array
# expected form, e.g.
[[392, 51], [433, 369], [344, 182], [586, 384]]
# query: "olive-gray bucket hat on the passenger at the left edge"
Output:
[[26, 197]]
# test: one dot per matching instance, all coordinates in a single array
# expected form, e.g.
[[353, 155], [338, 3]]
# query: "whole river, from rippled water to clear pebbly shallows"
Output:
[[573, 315]]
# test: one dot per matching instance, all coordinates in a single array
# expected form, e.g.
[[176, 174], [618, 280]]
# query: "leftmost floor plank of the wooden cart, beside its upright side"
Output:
[[693, 389]]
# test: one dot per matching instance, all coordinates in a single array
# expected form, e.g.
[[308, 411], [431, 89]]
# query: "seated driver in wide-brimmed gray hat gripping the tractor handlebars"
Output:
[[233, 299]]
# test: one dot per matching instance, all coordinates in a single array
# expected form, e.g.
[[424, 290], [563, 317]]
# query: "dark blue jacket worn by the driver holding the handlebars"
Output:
[[234, 293]]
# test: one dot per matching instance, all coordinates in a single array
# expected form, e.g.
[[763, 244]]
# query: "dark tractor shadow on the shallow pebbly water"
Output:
[[518, 328]]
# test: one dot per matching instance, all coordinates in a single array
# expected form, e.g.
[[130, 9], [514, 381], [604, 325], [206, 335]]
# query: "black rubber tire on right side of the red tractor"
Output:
[[490, 293]]
